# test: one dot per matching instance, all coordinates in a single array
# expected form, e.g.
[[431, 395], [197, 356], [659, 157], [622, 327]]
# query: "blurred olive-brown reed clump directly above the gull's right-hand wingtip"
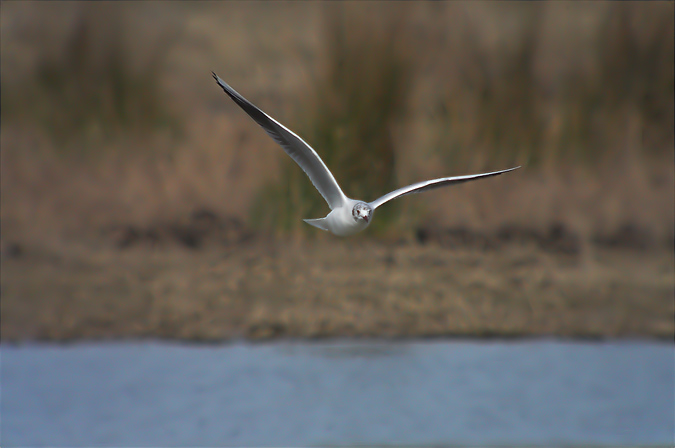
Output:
[[494, 106]]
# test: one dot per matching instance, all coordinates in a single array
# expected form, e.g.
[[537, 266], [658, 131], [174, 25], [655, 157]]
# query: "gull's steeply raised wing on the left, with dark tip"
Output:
[[301, 152]]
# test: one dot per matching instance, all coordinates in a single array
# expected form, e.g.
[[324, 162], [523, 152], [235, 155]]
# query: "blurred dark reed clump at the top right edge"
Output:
[[635, 57]]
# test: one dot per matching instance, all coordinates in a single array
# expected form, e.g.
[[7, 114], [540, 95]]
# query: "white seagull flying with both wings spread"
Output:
[[348, 216]]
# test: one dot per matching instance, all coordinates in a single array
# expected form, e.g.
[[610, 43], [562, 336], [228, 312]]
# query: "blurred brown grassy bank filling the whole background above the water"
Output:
[[582, 93]]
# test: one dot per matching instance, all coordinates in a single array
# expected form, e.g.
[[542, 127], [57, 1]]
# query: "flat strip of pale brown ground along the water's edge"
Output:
[[334, 288]]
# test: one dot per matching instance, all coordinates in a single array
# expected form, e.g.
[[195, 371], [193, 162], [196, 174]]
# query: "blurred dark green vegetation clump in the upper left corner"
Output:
[[97, 86]]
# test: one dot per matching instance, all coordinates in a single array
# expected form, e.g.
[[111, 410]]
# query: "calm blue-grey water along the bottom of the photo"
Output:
[[339, 393]]
